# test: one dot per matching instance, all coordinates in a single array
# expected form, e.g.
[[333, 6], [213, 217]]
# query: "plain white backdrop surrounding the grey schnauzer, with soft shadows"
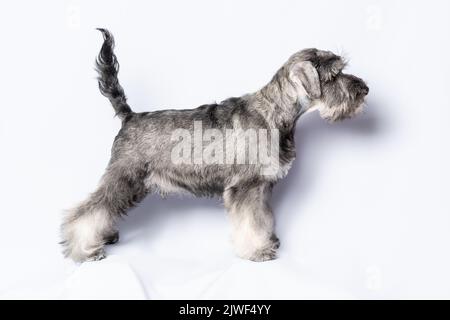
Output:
[[364, 212]]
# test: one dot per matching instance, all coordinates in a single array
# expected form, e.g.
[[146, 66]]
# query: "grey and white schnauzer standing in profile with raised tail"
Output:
[[142, 159]]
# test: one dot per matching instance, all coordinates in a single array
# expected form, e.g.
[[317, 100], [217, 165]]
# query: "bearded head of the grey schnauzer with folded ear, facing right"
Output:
[[318, 77]]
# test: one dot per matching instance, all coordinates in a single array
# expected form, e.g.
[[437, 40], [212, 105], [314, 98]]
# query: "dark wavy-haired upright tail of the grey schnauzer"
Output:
[[107, 67]]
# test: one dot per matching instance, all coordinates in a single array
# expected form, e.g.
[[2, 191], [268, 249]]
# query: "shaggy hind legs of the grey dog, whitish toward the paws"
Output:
[[91, 225]]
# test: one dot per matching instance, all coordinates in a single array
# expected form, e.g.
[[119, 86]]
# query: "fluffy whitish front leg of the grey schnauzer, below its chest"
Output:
[[252, 220]]
